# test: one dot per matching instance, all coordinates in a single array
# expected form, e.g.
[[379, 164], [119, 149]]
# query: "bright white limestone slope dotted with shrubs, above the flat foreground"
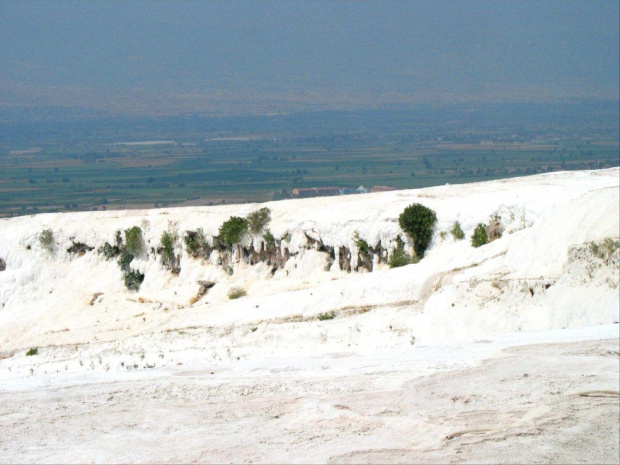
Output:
[[551, 263]]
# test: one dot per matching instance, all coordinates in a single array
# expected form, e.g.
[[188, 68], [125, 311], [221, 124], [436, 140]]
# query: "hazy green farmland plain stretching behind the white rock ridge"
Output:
[[88, 166]]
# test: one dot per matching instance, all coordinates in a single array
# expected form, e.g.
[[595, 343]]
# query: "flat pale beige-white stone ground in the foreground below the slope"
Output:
[[541, 397]]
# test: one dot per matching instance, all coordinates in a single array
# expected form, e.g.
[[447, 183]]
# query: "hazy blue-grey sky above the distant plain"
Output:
[[184, 54]]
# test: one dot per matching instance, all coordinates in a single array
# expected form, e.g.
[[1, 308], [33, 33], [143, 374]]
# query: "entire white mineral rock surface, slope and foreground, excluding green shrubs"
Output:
[[500, 354]]
